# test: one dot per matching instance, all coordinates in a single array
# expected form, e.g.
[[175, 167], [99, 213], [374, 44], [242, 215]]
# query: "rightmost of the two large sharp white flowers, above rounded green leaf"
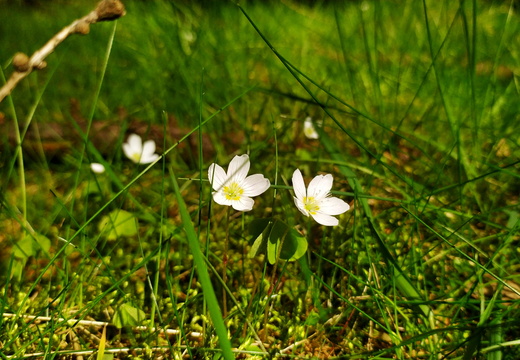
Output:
[[316, 201]]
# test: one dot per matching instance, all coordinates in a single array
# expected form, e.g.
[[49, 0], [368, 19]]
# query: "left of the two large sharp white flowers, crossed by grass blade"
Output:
[[236, 188]]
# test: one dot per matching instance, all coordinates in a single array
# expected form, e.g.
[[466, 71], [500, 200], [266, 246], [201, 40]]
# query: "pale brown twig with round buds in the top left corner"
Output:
[[106, 10]]
